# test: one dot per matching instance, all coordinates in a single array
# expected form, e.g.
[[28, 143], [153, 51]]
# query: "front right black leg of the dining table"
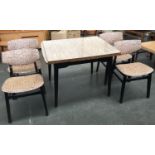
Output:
[[109, 74]]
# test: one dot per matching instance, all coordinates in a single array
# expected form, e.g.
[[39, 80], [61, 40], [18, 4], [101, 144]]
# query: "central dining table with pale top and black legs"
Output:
[[66, 52]]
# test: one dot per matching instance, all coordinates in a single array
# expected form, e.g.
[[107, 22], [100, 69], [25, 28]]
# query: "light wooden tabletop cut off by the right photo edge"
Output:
[[149, 46]]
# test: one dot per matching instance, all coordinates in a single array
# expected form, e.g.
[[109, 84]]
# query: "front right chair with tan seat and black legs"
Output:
[[131, 71]]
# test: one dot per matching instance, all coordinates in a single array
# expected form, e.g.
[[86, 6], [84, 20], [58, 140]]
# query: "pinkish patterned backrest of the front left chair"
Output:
[[20, 57]]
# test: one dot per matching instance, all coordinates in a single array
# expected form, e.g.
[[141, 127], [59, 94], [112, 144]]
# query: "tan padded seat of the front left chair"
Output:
[[22, 83]]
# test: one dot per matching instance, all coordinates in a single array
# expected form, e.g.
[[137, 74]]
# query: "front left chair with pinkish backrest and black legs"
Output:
[[20, 86]]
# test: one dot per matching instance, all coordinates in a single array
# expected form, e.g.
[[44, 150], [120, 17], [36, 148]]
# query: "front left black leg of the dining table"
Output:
[[56, 75]]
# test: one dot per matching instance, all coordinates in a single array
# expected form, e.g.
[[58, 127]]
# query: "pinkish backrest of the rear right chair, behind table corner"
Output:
[[112, 37]]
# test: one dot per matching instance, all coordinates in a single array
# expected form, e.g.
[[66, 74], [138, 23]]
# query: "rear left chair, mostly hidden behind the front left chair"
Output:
[[20, 44]]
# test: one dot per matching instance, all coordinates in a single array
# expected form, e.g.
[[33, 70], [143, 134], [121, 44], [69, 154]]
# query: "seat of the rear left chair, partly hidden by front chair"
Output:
[[24, 69]]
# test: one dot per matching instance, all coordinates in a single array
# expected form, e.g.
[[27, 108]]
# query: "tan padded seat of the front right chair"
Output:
[[134, 69]]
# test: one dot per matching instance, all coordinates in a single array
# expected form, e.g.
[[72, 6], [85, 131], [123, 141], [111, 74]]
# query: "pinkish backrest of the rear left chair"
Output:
[[23, 43]]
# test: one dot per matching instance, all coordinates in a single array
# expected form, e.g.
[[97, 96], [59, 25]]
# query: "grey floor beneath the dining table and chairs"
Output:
[[83, 100]]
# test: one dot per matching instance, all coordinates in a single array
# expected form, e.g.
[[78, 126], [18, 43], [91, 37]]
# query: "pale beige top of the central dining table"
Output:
[[76, 49]]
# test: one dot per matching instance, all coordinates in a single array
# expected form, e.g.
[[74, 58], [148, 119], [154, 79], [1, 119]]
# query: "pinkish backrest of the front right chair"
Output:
[[128, 46]]
